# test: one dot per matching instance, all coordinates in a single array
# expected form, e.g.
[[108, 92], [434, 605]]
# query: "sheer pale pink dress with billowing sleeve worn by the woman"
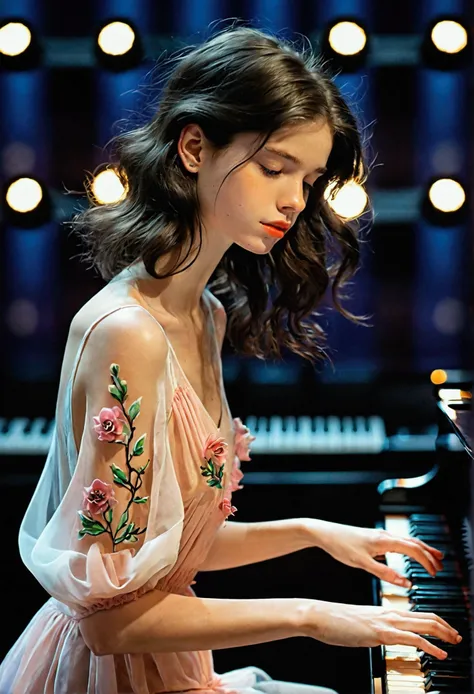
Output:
[[189, 500]]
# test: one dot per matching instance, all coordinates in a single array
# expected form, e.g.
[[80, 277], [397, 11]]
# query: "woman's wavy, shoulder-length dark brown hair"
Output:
[[239, 80]]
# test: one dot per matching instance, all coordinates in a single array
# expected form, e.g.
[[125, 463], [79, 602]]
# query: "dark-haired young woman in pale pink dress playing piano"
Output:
[[227, 178]]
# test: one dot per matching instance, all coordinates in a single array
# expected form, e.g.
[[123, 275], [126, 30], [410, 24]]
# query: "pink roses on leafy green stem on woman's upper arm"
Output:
[[115, 425]]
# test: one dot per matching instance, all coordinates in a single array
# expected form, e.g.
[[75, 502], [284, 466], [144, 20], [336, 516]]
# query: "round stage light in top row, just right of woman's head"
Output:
[[345, 43]]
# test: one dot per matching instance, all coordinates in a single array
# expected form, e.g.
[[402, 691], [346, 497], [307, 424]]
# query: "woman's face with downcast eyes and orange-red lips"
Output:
[[267, 188]]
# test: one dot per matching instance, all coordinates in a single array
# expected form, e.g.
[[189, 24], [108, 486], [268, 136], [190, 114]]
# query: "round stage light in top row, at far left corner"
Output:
[[19, 48]]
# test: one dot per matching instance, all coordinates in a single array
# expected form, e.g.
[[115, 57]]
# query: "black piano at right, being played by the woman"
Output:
[[434, 507]]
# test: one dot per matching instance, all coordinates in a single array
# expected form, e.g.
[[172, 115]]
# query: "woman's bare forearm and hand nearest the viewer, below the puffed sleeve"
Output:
[[166, 622]]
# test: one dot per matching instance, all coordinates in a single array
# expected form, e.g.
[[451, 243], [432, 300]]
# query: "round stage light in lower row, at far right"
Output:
[[445, 202]]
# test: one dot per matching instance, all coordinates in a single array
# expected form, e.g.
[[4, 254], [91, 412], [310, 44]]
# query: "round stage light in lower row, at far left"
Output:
[[26, 202]]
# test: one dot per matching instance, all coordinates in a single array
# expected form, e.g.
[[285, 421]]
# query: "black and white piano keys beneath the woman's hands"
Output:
[[408, 670]]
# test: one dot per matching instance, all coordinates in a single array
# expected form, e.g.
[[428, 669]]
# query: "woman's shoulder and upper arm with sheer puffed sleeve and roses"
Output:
[[118, 525]]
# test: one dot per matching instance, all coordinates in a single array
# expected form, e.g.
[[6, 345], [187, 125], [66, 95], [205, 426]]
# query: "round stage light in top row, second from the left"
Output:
[[118, 46]]
